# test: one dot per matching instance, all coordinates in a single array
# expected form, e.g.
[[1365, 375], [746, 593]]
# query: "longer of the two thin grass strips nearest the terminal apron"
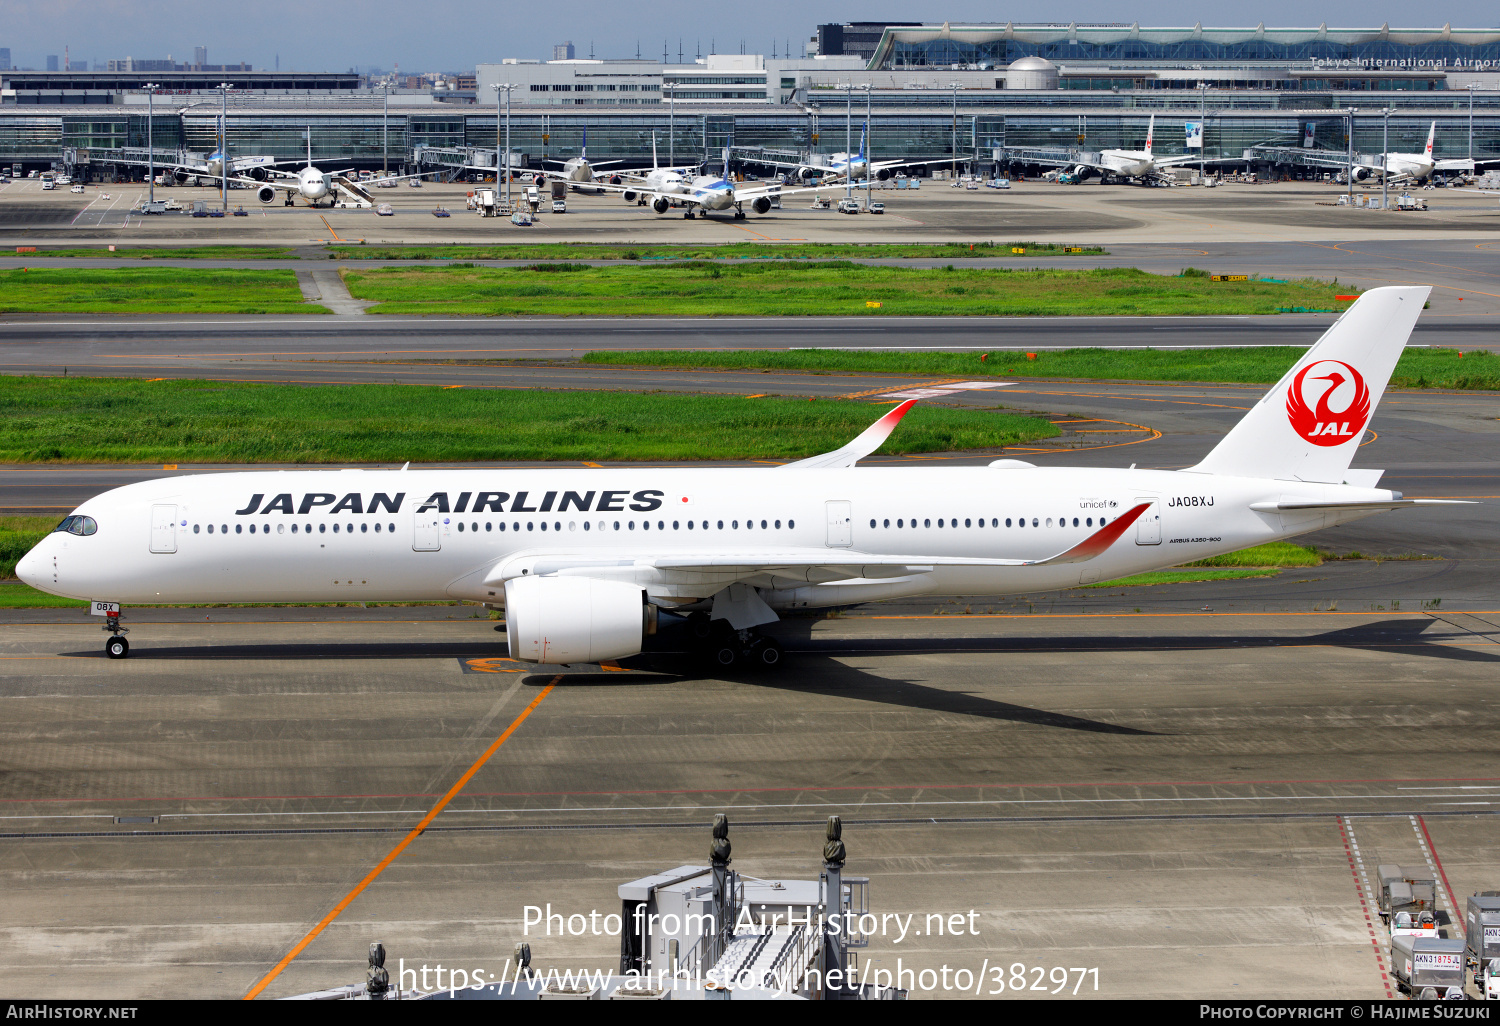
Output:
[[721, 251]]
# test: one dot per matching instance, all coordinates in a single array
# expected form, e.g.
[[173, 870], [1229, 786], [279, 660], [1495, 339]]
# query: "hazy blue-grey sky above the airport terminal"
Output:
[[452, 35]]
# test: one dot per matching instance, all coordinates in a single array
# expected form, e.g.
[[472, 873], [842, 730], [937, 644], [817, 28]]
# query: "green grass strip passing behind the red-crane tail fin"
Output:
[[1417, 370]]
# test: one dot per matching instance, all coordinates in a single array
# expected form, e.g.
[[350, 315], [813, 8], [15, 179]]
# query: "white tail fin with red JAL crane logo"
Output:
[[1312, 422]]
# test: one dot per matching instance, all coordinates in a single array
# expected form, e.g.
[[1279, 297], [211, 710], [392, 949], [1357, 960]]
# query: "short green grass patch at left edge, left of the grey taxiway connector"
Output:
[[151, 290]]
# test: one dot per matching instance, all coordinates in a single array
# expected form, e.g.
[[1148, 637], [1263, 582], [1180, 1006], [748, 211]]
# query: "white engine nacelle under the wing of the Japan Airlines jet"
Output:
[[575, 620]]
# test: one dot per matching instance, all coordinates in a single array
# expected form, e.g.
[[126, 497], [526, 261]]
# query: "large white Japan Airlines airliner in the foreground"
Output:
[[581, 560]]
